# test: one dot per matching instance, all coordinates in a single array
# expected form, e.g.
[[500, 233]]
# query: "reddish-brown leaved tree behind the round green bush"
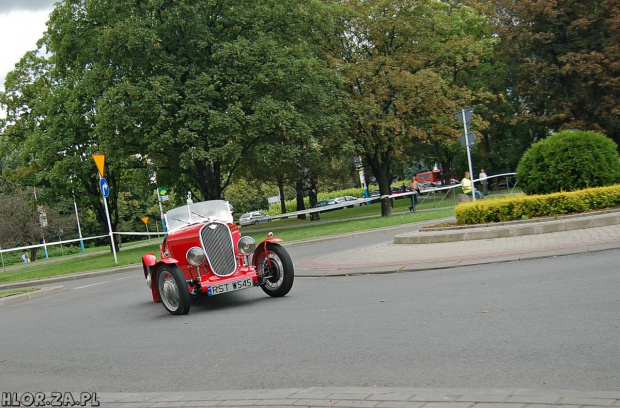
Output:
[[564, 62]]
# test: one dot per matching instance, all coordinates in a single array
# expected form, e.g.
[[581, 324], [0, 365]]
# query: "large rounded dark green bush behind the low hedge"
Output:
[[569, 161]]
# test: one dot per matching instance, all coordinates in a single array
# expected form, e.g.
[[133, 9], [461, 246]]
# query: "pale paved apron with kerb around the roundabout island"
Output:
[[448, 248]]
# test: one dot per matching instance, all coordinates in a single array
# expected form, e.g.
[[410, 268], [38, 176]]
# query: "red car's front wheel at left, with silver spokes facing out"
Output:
[[172, 290]]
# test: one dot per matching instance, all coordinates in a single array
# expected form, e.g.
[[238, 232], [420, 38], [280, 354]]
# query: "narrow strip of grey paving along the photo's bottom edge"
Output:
[[379, 397]]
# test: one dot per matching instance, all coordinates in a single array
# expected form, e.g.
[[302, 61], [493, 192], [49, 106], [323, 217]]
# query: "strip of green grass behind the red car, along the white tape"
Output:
[[291, 229]]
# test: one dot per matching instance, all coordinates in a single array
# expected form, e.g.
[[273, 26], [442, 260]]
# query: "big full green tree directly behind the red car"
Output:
[[204, 82]]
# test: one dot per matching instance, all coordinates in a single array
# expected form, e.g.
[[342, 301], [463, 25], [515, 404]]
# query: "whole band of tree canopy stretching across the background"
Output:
[[192, 93]]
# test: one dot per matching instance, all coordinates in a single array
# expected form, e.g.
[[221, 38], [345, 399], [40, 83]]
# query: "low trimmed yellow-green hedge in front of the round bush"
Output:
[[525, 207]]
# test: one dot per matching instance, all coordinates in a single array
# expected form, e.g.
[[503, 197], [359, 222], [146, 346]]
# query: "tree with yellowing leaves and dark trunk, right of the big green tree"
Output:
[[403, 61]]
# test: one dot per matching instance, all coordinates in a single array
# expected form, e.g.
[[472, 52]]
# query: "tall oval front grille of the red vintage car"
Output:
[[218, 244]]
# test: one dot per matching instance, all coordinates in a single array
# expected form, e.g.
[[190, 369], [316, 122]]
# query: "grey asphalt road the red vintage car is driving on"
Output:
[[545, 324]]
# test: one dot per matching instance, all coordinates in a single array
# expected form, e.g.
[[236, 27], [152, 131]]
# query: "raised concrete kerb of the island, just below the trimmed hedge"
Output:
[[510, 229]]
